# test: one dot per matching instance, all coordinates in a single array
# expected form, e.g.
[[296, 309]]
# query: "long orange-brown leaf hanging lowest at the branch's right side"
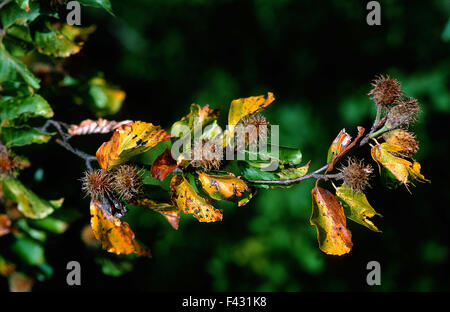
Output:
[[329, 218]]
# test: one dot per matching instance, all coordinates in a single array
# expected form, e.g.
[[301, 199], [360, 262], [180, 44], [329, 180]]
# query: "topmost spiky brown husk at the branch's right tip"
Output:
[[385, 91]]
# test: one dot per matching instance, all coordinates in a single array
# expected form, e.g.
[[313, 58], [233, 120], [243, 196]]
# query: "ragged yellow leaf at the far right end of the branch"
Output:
[[402, 169]]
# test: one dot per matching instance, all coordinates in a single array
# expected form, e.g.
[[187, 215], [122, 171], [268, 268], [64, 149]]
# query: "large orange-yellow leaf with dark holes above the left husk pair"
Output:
[[128, 141]]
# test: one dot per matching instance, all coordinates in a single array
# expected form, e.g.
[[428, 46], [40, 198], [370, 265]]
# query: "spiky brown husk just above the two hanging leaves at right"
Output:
[[356, 174]]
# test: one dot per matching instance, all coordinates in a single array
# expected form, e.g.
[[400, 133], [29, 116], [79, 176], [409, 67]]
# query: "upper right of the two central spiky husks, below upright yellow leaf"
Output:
[[252, 129]]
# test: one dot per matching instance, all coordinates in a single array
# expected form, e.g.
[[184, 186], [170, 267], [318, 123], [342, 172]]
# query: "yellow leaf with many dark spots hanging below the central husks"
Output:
[[186, 199]]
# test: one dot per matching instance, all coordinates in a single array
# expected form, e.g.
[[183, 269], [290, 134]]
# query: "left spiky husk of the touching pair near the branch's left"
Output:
[[97, 183]]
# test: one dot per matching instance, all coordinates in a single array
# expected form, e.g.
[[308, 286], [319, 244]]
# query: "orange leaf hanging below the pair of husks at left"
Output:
[[115, 235]]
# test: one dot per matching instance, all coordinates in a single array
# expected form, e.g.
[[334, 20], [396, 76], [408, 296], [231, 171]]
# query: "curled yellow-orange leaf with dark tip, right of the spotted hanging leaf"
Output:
[[227, 187]]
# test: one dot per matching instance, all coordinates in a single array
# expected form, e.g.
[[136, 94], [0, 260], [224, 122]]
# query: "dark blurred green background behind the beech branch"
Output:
[[318, 58]]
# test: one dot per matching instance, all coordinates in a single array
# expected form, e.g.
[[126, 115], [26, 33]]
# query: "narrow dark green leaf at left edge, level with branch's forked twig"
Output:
[[22, 135]]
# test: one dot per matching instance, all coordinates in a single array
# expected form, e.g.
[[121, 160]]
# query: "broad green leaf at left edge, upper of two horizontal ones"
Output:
[[24, 107]]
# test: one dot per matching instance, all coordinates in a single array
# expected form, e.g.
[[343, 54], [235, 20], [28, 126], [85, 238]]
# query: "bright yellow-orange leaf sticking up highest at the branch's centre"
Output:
[[243, 107]]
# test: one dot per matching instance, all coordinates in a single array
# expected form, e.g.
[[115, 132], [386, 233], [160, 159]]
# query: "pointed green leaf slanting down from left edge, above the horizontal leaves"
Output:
[[11, 69]]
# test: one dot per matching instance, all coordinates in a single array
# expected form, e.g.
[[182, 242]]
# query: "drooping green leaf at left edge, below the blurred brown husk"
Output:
[[28, 203]]
